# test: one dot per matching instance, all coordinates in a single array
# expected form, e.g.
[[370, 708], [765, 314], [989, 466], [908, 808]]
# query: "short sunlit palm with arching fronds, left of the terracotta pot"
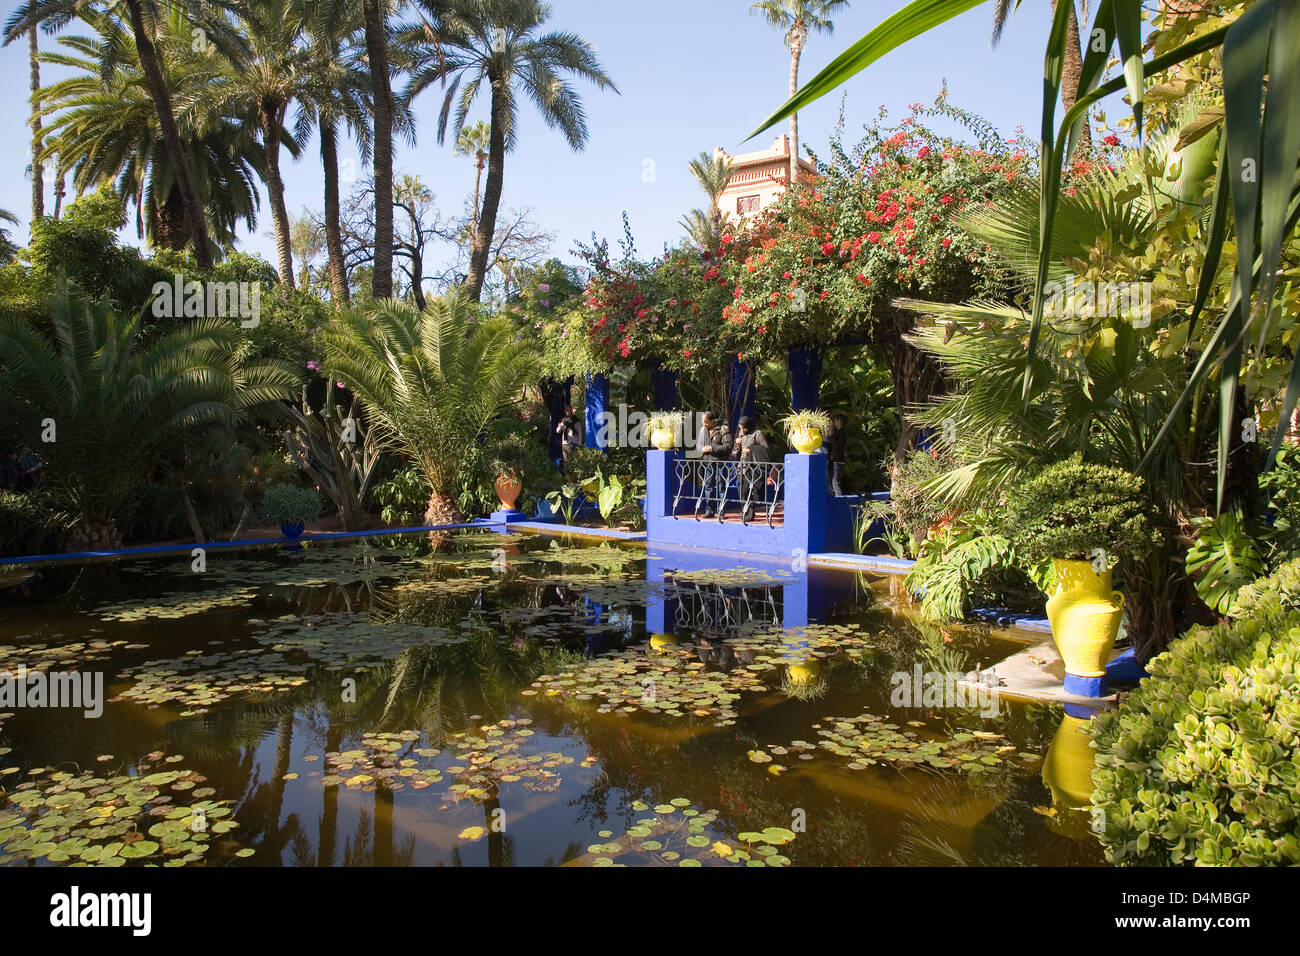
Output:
[[430, 382]]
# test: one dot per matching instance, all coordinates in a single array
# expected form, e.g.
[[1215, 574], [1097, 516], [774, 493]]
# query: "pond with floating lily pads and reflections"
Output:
[[517, 700]]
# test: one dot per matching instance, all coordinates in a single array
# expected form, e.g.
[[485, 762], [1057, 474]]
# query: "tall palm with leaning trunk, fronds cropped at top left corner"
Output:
[[145, 16]]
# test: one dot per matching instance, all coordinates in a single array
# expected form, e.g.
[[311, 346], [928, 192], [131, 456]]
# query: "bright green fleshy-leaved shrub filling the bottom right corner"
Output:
[[1202, 764]]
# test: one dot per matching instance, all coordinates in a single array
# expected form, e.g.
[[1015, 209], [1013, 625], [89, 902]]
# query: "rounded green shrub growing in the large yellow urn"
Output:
[[1071, 509]]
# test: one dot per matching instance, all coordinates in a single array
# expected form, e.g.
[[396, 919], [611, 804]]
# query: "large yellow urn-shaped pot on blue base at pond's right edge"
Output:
[[1085, 616]]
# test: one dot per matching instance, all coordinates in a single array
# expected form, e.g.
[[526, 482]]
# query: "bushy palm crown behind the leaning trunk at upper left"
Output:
[[105, 128]]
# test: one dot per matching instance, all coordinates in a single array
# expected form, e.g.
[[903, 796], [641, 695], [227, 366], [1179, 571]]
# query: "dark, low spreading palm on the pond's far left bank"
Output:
[[101, 410]]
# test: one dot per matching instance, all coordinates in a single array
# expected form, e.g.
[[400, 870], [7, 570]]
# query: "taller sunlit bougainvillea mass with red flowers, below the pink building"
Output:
[[881, 220]]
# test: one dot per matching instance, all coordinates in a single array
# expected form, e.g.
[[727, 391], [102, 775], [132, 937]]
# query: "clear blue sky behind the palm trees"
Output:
[[694, 75]]
